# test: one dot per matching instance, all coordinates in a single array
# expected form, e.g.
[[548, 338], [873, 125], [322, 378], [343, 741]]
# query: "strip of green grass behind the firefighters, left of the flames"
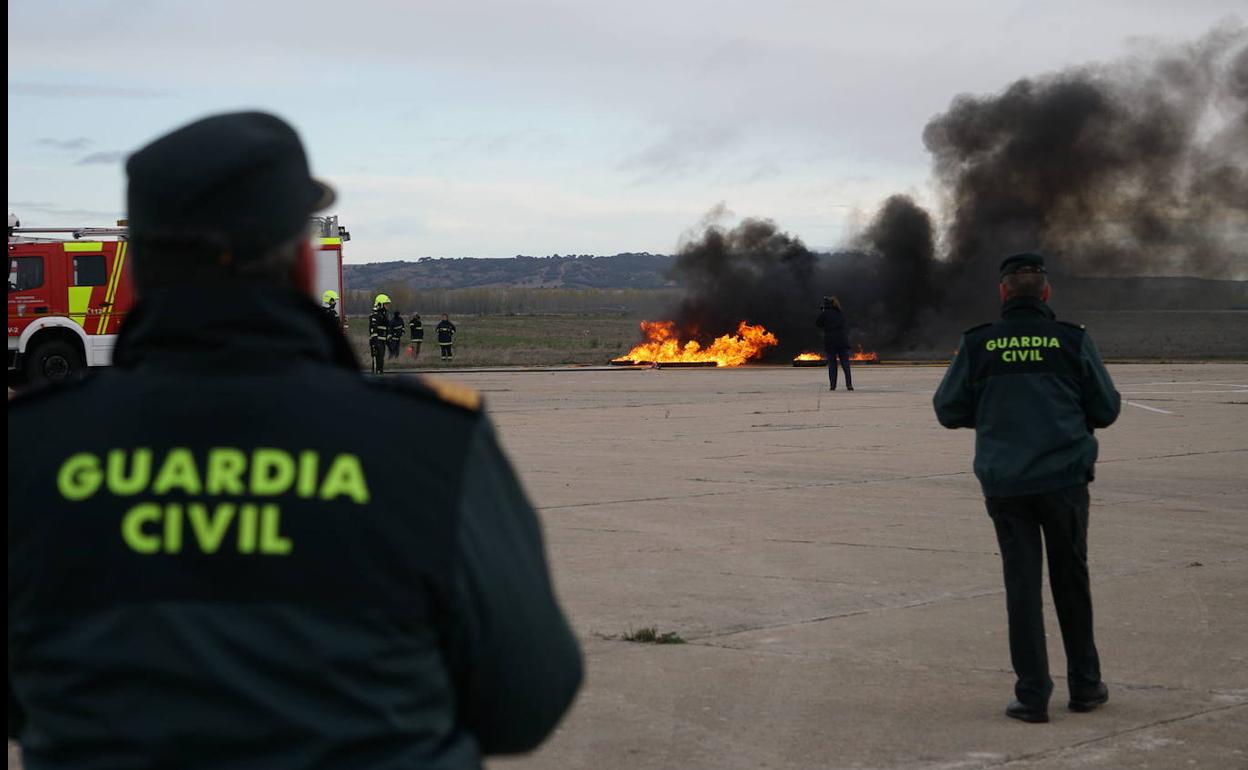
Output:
[[484, 341]]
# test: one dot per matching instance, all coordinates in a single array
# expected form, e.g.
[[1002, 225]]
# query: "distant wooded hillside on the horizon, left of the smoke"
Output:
[[585, 271]]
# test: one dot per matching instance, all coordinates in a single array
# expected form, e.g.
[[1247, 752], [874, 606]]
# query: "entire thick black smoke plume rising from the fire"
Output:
[[1138, 168]]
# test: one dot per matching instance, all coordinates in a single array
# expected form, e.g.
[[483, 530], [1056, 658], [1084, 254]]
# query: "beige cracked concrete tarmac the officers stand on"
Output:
[[829, 563]]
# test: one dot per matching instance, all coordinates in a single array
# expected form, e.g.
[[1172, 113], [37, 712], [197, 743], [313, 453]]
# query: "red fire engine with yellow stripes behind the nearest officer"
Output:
[[69, 295]]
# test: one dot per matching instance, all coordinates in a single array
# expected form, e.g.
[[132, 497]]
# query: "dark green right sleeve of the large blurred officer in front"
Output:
[[521, 662]]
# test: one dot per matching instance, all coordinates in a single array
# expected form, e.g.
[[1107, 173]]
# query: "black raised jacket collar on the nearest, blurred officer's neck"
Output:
[[235, 328]]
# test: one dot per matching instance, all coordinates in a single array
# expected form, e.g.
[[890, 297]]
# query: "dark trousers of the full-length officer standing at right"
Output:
[[1063, 517]]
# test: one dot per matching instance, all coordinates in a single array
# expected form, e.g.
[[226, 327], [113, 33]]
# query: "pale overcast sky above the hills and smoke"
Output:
[[494, 129]]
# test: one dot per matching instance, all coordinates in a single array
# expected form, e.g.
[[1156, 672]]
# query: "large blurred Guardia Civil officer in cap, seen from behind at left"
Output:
[[220, 568]]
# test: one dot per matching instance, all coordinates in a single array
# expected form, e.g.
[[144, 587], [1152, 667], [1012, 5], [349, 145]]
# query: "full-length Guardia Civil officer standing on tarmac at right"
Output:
[[1034, 389]]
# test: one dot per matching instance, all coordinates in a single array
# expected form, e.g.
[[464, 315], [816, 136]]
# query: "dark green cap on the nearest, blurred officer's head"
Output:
[[241, 179]]
